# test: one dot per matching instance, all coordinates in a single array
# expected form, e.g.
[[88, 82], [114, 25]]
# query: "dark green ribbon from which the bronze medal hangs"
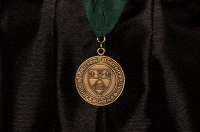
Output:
[[103, 14]]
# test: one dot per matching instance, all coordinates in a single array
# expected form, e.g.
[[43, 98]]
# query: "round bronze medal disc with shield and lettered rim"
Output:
[[100, 80]]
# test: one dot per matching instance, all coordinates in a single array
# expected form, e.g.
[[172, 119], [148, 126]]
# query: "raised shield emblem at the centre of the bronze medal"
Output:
[[99, 80]]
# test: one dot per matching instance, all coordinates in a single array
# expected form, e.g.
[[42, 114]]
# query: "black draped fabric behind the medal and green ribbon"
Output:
[[42, 43]]
